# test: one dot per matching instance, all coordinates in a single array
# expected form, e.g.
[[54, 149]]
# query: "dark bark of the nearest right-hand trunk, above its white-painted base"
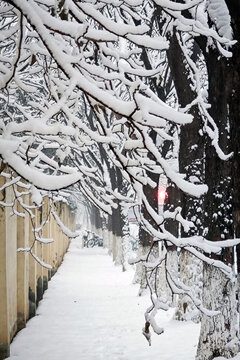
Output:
[[218, 202]]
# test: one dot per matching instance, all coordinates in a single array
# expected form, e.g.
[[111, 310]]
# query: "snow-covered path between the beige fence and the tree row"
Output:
[[91, 311]]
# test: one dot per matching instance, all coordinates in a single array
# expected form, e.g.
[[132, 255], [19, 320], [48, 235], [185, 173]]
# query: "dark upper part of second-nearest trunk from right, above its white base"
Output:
[[191, 162]]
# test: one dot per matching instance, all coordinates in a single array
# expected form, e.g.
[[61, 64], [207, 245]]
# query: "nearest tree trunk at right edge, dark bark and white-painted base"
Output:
[[218, 335]]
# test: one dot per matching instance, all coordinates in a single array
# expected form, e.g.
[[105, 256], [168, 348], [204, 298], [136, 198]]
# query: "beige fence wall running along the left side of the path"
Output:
[[23, 279]]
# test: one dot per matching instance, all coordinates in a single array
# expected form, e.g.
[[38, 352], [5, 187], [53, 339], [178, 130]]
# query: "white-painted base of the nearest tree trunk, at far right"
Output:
[[218, 334]]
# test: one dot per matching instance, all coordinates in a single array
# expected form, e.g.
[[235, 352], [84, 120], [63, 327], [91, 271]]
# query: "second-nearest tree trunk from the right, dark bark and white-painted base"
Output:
[[191, 163]]
